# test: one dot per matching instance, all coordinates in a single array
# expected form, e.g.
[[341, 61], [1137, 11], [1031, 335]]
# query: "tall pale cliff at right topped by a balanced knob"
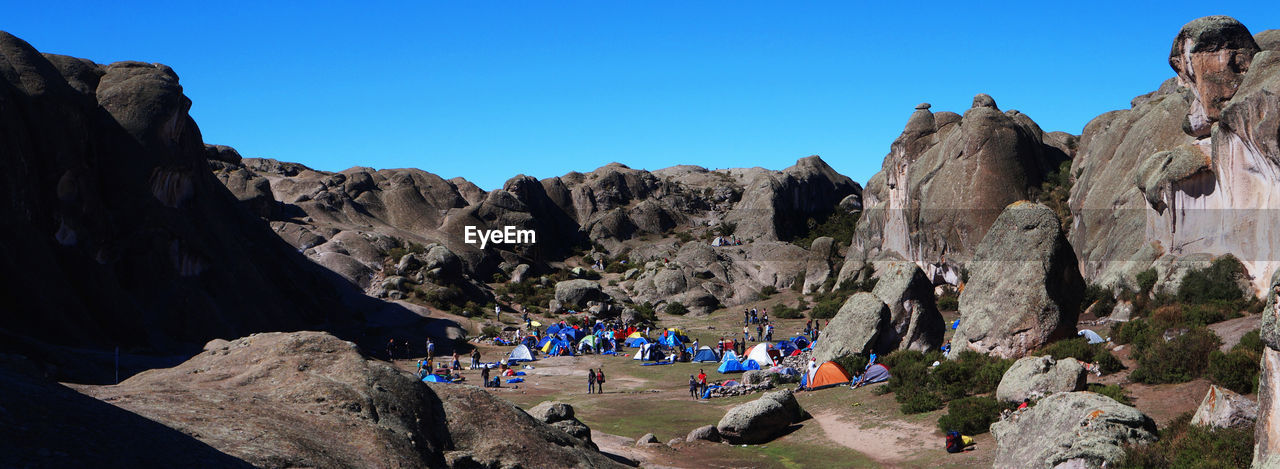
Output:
[[1194, 167]]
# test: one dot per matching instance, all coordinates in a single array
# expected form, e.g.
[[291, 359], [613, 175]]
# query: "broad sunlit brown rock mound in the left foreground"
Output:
[[303, 399]]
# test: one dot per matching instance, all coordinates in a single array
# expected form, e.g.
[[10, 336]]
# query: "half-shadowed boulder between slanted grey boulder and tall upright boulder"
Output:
[[915, 317]]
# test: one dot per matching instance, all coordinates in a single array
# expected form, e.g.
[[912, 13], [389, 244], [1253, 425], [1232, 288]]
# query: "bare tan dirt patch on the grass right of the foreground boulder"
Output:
[[890, 443]]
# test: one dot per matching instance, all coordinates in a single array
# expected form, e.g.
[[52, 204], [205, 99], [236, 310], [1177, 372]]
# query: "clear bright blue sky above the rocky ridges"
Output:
[[490, 90]]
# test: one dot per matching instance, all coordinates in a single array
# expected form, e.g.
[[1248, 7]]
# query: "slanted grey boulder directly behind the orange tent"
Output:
[[862, 326]]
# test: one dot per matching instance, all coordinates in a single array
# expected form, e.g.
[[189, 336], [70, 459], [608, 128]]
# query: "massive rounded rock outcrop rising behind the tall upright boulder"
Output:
[[945, 183]]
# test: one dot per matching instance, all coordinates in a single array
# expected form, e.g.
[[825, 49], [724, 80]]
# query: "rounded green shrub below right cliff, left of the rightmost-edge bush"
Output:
[[1178, 361]]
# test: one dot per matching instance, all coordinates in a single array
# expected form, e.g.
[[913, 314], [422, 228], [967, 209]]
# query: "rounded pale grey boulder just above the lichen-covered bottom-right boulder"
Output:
[[1036, 377]]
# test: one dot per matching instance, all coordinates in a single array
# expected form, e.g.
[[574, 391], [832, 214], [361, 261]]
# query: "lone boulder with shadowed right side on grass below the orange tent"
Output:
[[762, 420]]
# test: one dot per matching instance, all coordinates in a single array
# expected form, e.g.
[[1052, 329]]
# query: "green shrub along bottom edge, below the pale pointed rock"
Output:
[[1183, 445]]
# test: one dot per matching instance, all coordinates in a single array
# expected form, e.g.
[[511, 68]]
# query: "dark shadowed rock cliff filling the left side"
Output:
[[117, 233]]
